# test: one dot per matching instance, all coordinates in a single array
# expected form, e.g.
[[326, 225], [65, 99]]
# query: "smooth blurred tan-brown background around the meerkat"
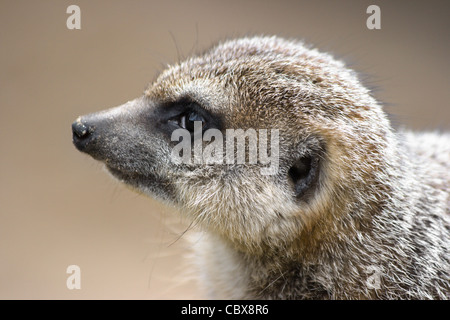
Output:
[[58, 207]]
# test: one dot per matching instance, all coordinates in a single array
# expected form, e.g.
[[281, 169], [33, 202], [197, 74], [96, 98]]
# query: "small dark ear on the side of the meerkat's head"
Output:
[[304, 175]]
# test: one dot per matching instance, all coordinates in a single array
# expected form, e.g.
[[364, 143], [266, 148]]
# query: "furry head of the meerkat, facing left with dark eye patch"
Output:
[[255, 140]]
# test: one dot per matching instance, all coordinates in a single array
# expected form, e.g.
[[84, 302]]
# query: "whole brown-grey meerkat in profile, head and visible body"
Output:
[[355, 209]]
